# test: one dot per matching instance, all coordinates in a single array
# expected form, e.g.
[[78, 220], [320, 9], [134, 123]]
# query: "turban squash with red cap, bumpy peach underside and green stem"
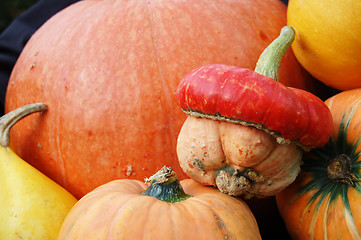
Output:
[[246, 131]]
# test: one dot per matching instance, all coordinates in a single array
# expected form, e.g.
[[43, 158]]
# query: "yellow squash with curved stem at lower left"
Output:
[[32, 205]]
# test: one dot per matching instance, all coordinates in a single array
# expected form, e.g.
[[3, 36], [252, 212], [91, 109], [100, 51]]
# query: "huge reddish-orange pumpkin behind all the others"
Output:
[[108, 71]]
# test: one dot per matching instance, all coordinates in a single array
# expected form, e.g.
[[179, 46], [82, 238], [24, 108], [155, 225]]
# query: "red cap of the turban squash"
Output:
[[246, 97]]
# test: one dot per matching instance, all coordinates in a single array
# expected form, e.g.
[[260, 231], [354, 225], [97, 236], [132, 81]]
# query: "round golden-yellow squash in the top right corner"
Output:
[[329, 40]]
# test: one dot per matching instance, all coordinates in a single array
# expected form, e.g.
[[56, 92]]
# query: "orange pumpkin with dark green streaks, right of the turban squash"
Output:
[[316, 207]]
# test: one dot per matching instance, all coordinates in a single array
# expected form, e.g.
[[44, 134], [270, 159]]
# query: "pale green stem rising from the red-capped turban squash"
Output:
[[270, 59]]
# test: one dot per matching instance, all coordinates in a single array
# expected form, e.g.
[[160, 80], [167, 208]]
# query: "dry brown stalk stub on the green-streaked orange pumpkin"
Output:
[[339, 170]]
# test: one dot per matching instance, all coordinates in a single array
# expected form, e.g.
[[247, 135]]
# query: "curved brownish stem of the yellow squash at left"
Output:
[[9, 119]]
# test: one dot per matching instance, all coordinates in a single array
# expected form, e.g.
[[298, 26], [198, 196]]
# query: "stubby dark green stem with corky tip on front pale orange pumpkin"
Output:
[[165, 186]]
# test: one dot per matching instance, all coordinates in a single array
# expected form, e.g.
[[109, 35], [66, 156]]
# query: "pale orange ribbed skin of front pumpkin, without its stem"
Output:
[[116, 209]]
